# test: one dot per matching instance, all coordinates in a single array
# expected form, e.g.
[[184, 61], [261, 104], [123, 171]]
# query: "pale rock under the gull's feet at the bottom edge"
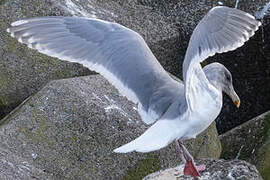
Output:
[[215, 169]]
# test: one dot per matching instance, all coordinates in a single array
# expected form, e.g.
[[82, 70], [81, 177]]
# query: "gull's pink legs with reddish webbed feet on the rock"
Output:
[[190, 168]]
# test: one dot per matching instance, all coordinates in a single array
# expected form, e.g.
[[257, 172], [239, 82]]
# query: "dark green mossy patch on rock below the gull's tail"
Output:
[[143, 168]]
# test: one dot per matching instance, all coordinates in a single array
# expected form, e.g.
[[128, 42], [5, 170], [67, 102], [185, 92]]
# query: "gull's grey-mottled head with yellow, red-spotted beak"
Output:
[[220, 77]]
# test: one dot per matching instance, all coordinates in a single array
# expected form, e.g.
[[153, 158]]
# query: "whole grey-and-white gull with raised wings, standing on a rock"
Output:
[[178, 111]]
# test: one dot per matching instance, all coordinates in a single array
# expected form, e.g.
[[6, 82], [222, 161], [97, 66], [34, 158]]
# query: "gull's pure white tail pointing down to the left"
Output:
[[162, 133]]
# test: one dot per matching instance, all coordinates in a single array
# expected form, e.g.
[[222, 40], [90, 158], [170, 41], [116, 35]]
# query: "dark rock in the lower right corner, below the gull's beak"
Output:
[[250, 142]]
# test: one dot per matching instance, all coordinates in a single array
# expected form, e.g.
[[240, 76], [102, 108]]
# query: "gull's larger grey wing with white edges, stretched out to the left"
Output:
[[118, 53]]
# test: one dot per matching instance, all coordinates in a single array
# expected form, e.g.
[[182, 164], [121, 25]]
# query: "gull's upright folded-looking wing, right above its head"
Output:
[[222, 29]]
